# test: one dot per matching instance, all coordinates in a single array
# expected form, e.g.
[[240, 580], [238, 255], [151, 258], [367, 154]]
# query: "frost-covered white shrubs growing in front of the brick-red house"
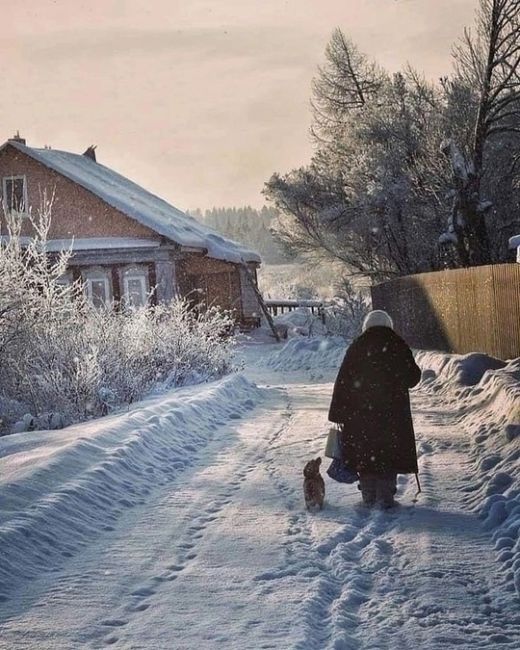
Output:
[[62, 361]]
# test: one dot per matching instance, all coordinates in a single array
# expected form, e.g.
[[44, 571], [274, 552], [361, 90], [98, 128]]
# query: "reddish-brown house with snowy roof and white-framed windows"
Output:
[[125, 241]]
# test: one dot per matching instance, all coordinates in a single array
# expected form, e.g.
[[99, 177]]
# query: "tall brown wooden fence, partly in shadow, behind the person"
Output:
[[464, 310]]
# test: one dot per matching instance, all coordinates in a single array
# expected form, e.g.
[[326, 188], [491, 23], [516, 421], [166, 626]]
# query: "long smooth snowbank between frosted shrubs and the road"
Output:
[[59, 489]]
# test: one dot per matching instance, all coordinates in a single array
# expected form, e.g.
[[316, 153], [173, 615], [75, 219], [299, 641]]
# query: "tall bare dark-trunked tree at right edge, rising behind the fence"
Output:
[[483, 149]]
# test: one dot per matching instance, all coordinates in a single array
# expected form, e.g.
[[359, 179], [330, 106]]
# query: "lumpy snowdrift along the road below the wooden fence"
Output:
[[486, 391]]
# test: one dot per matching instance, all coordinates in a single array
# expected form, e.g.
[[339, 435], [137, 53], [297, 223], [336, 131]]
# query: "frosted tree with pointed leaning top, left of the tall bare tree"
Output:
[[372, 196]]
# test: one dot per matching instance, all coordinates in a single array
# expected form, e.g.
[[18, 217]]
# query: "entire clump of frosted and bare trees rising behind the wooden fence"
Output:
[[377, 194]]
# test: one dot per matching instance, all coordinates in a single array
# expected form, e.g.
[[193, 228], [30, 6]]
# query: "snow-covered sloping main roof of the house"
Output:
[[139, 204]]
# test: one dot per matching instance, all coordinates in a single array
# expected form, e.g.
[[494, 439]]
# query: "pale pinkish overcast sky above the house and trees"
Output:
[[197, 100]]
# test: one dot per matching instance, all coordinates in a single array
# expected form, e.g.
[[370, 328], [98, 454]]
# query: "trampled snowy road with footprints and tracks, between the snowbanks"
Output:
[[223, 554]]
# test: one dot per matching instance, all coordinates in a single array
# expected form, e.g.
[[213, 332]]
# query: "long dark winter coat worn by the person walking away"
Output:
[[371, 400]]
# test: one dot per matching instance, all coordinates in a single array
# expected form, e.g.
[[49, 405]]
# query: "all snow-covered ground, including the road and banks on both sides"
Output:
[[181, 525]]
